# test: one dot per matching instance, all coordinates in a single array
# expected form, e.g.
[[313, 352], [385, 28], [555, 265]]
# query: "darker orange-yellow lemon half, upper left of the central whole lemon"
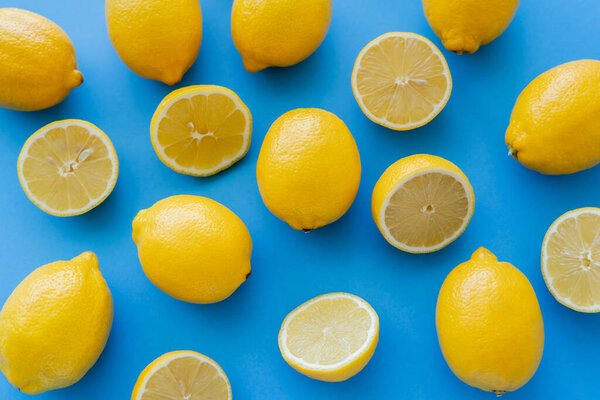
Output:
[[201, 130]]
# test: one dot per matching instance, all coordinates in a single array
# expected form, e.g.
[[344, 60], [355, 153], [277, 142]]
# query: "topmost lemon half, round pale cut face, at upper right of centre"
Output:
[[401, 80]]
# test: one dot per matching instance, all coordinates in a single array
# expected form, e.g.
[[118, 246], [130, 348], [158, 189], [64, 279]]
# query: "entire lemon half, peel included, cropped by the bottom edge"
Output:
[[182, 375]]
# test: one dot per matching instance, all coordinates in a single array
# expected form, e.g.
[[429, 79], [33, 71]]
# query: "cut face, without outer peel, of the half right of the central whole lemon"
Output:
[[427, 210]]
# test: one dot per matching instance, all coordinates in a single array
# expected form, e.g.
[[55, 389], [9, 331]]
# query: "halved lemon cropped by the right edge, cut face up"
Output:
[[571, 259]]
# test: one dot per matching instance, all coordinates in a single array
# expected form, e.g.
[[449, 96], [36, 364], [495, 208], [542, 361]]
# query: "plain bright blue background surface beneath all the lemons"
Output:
[[514, 207]]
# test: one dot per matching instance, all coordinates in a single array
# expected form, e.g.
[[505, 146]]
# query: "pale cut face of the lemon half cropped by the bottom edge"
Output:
[[186, 378]]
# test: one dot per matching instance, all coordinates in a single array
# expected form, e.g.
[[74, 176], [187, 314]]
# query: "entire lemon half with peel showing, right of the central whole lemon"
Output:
[[422, 203]]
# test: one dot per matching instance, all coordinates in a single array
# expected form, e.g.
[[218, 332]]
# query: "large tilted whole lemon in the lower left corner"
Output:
[[55, 324]]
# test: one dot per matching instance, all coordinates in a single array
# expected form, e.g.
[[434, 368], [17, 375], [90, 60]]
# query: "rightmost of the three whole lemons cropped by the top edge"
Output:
[[464, 25]]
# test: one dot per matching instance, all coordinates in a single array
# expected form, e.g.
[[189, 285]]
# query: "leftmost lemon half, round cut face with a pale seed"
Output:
[[68, 167]]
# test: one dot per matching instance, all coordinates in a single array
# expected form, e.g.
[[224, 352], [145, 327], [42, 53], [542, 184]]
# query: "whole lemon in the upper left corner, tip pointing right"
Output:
[[38, 68]]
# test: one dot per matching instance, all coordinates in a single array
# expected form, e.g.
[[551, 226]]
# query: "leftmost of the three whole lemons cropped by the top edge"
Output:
[[156, 39]]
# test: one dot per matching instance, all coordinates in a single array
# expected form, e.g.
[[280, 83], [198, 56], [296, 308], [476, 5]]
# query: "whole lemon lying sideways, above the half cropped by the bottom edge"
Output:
[[193, 248]]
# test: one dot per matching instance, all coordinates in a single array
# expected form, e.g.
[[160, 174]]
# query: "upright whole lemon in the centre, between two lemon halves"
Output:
[[308, 169]]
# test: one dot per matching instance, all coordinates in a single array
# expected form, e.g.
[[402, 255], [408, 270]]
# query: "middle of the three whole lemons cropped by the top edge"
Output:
[[278, 33]]
